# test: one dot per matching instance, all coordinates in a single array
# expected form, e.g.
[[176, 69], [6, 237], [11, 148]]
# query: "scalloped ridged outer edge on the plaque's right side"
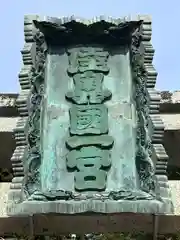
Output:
[[155, 126]]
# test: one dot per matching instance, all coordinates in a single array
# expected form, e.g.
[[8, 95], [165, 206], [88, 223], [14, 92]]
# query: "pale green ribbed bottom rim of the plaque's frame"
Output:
[[96, 206]]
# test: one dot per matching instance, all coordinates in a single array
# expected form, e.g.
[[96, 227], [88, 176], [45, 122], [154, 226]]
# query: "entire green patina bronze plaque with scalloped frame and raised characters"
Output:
[[88, 144]]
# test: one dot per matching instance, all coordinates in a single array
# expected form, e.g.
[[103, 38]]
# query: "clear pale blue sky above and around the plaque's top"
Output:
[[165, 38]]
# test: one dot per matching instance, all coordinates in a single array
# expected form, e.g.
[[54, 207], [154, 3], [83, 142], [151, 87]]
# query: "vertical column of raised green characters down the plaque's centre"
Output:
[[88, 117]]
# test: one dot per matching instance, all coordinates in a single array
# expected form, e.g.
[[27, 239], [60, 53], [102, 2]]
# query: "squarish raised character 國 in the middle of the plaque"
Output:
[[88, 119]]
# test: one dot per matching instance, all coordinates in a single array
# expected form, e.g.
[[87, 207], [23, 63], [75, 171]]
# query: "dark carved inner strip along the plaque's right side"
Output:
[[144, 162]]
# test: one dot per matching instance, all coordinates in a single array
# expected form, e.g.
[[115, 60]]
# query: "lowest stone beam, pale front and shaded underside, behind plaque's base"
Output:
[[56, 224]]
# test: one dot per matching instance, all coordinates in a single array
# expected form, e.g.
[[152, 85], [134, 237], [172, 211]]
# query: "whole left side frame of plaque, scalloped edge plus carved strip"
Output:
[[31, 79]]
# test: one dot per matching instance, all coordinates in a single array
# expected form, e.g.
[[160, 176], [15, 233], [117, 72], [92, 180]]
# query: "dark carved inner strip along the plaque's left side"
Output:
[[32, 181]]
